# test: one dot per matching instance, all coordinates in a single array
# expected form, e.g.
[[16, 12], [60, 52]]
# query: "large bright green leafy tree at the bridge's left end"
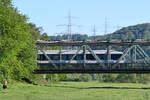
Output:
[[17, 49]]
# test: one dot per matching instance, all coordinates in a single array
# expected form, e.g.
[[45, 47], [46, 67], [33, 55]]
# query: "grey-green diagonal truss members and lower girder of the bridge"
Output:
[[135, 57]]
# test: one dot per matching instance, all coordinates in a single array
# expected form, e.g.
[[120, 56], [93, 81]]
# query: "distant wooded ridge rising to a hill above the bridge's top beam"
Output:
[[140, 31]]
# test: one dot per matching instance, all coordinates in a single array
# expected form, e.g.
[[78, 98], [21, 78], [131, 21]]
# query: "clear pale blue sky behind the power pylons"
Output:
[[119, 13]]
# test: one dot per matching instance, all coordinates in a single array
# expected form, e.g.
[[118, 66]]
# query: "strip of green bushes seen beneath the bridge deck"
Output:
[[113, 78]]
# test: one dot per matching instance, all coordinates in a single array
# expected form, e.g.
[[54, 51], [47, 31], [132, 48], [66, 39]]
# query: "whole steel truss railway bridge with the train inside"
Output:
[[132, 58]]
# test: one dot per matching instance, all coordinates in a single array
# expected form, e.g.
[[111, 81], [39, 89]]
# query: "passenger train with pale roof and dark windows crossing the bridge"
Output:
[[66, 55]]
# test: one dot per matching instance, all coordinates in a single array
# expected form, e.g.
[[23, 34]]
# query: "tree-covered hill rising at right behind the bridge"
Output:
[[140, 31]]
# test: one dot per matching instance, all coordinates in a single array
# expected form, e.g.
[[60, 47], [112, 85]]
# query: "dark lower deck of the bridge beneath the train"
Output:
[[93, 68]]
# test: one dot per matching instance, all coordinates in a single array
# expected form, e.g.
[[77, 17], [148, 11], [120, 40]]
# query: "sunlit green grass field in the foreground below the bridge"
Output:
[[77, 91]]
